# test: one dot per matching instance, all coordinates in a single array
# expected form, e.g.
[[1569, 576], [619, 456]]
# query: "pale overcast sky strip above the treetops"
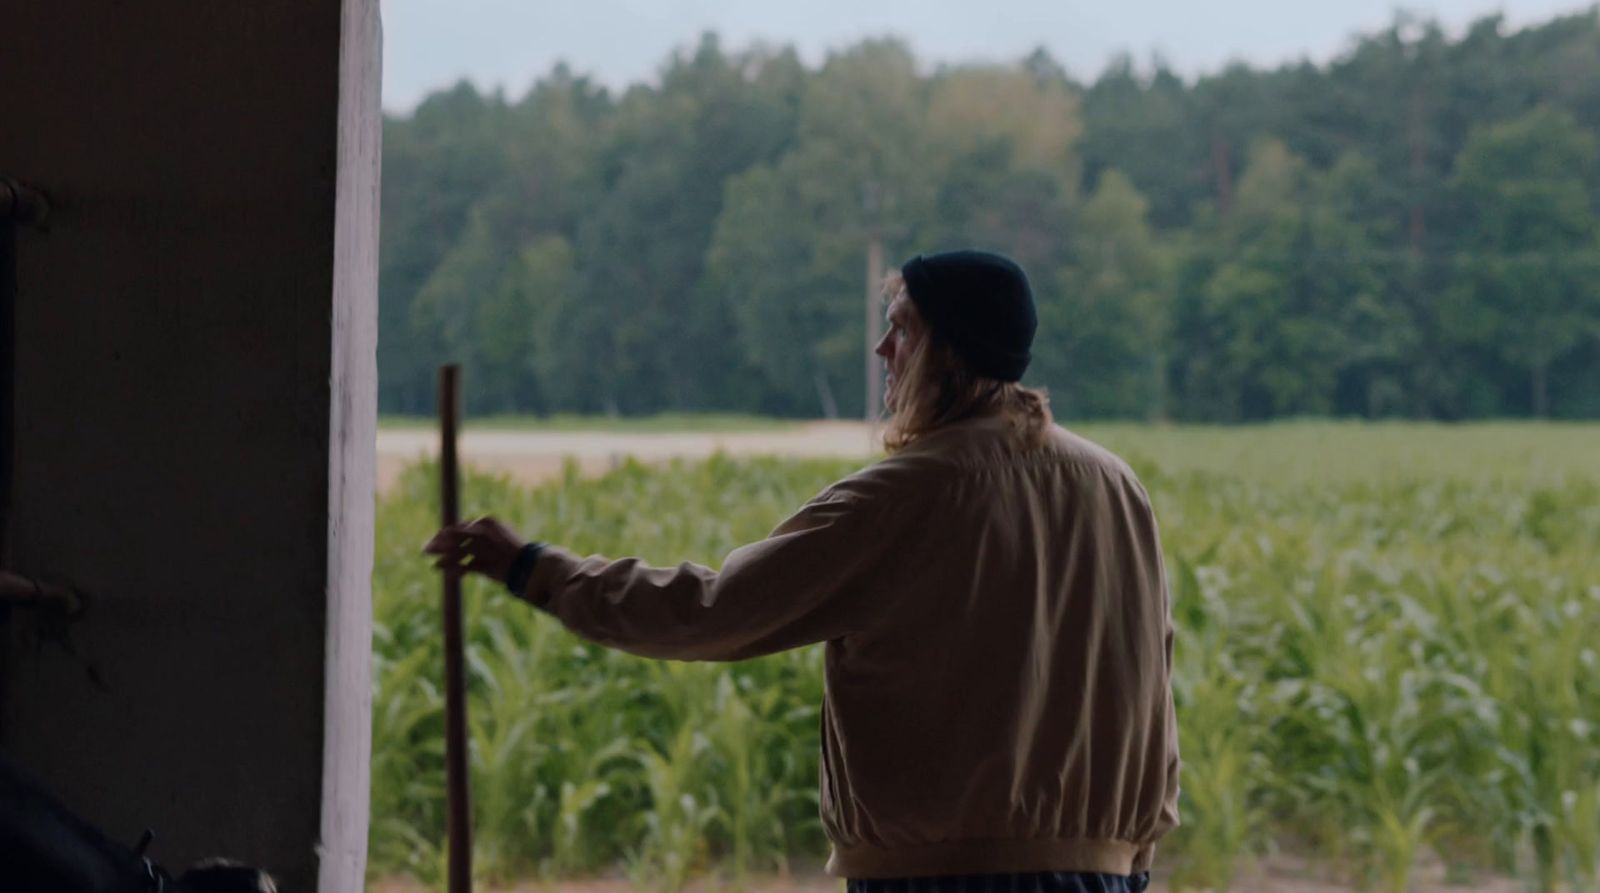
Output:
[[431, 44]]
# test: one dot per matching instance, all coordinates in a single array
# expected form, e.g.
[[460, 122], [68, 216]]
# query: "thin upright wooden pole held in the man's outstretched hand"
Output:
[[457, 783]]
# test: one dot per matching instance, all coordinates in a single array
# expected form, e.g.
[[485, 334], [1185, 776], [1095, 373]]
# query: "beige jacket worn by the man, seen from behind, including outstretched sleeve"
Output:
[[999, 652]]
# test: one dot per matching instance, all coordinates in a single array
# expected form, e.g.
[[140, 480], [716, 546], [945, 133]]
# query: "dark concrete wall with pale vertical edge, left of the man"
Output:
[[194, 410]]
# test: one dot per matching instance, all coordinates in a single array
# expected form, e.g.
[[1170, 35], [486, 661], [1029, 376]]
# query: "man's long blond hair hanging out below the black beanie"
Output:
[[937, 388]]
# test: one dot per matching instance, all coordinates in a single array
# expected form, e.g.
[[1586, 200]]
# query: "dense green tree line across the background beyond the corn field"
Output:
[[1409, 231]]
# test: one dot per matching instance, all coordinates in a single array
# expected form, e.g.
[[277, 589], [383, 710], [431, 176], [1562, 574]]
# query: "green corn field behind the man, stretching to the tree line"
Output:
[[1386, 652]]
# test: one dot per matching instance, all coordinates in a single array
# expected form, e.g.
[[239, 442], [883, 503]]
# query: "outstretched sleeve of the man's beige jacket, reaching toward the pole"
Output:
[[812, 580]]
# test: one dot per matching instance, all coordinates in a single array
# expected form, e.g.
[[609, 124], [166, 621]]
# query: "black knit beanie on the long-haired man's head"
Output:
[[982, 305]]
